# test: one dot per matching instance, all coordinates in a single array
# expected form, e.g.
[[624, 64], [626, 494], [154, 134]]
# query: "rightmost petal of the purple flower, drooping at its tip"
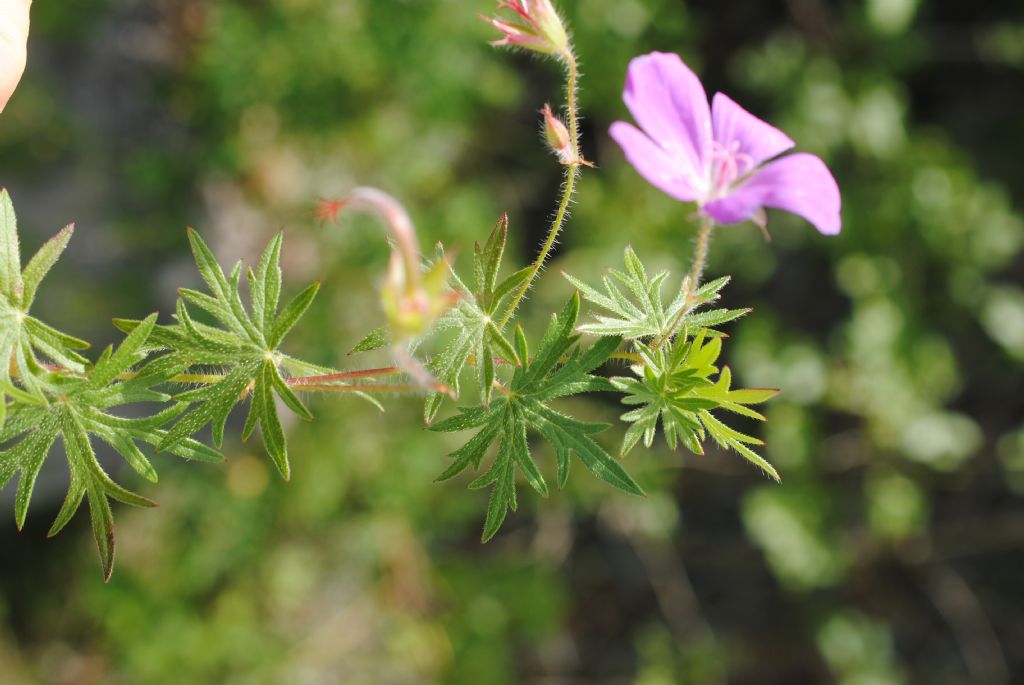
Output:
[[800, 184]]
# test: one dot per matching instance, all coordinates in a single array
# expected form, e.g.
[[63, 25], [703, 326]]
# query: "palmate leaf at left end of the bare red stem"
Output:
[[243, 346]]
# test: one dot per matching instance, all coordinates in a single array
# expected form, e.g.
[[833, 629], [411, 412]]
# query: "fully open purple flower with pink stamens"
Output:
[[719, 156]]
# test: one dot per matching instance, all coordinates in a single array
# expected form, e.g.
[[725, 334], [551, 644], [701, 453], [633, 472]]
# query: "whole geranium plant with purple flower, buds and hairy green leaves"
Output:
[[223, 352]]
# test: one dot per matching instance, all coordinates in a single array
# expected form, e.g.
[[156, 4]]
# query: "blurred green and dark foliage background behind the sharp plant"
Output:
[[891, 553]]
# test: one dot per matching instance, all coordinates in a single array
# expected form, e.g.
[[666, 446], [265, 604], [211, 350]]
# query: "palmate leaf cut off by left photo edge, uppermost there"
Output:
[[23, 337]]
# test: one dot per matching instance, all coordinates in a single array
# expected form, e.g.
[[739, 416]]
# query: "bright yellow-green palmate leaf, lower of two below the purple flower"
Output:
[[675, 388]]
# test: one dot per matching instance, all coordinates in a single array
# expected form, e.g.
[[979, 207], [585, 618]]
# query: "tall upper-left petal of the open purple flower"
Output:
[[669, 103]]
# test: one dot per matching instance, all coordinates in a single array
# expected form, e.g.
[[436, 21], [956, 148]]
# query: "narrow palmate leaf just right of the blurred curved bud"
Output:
[[476, 322]]
